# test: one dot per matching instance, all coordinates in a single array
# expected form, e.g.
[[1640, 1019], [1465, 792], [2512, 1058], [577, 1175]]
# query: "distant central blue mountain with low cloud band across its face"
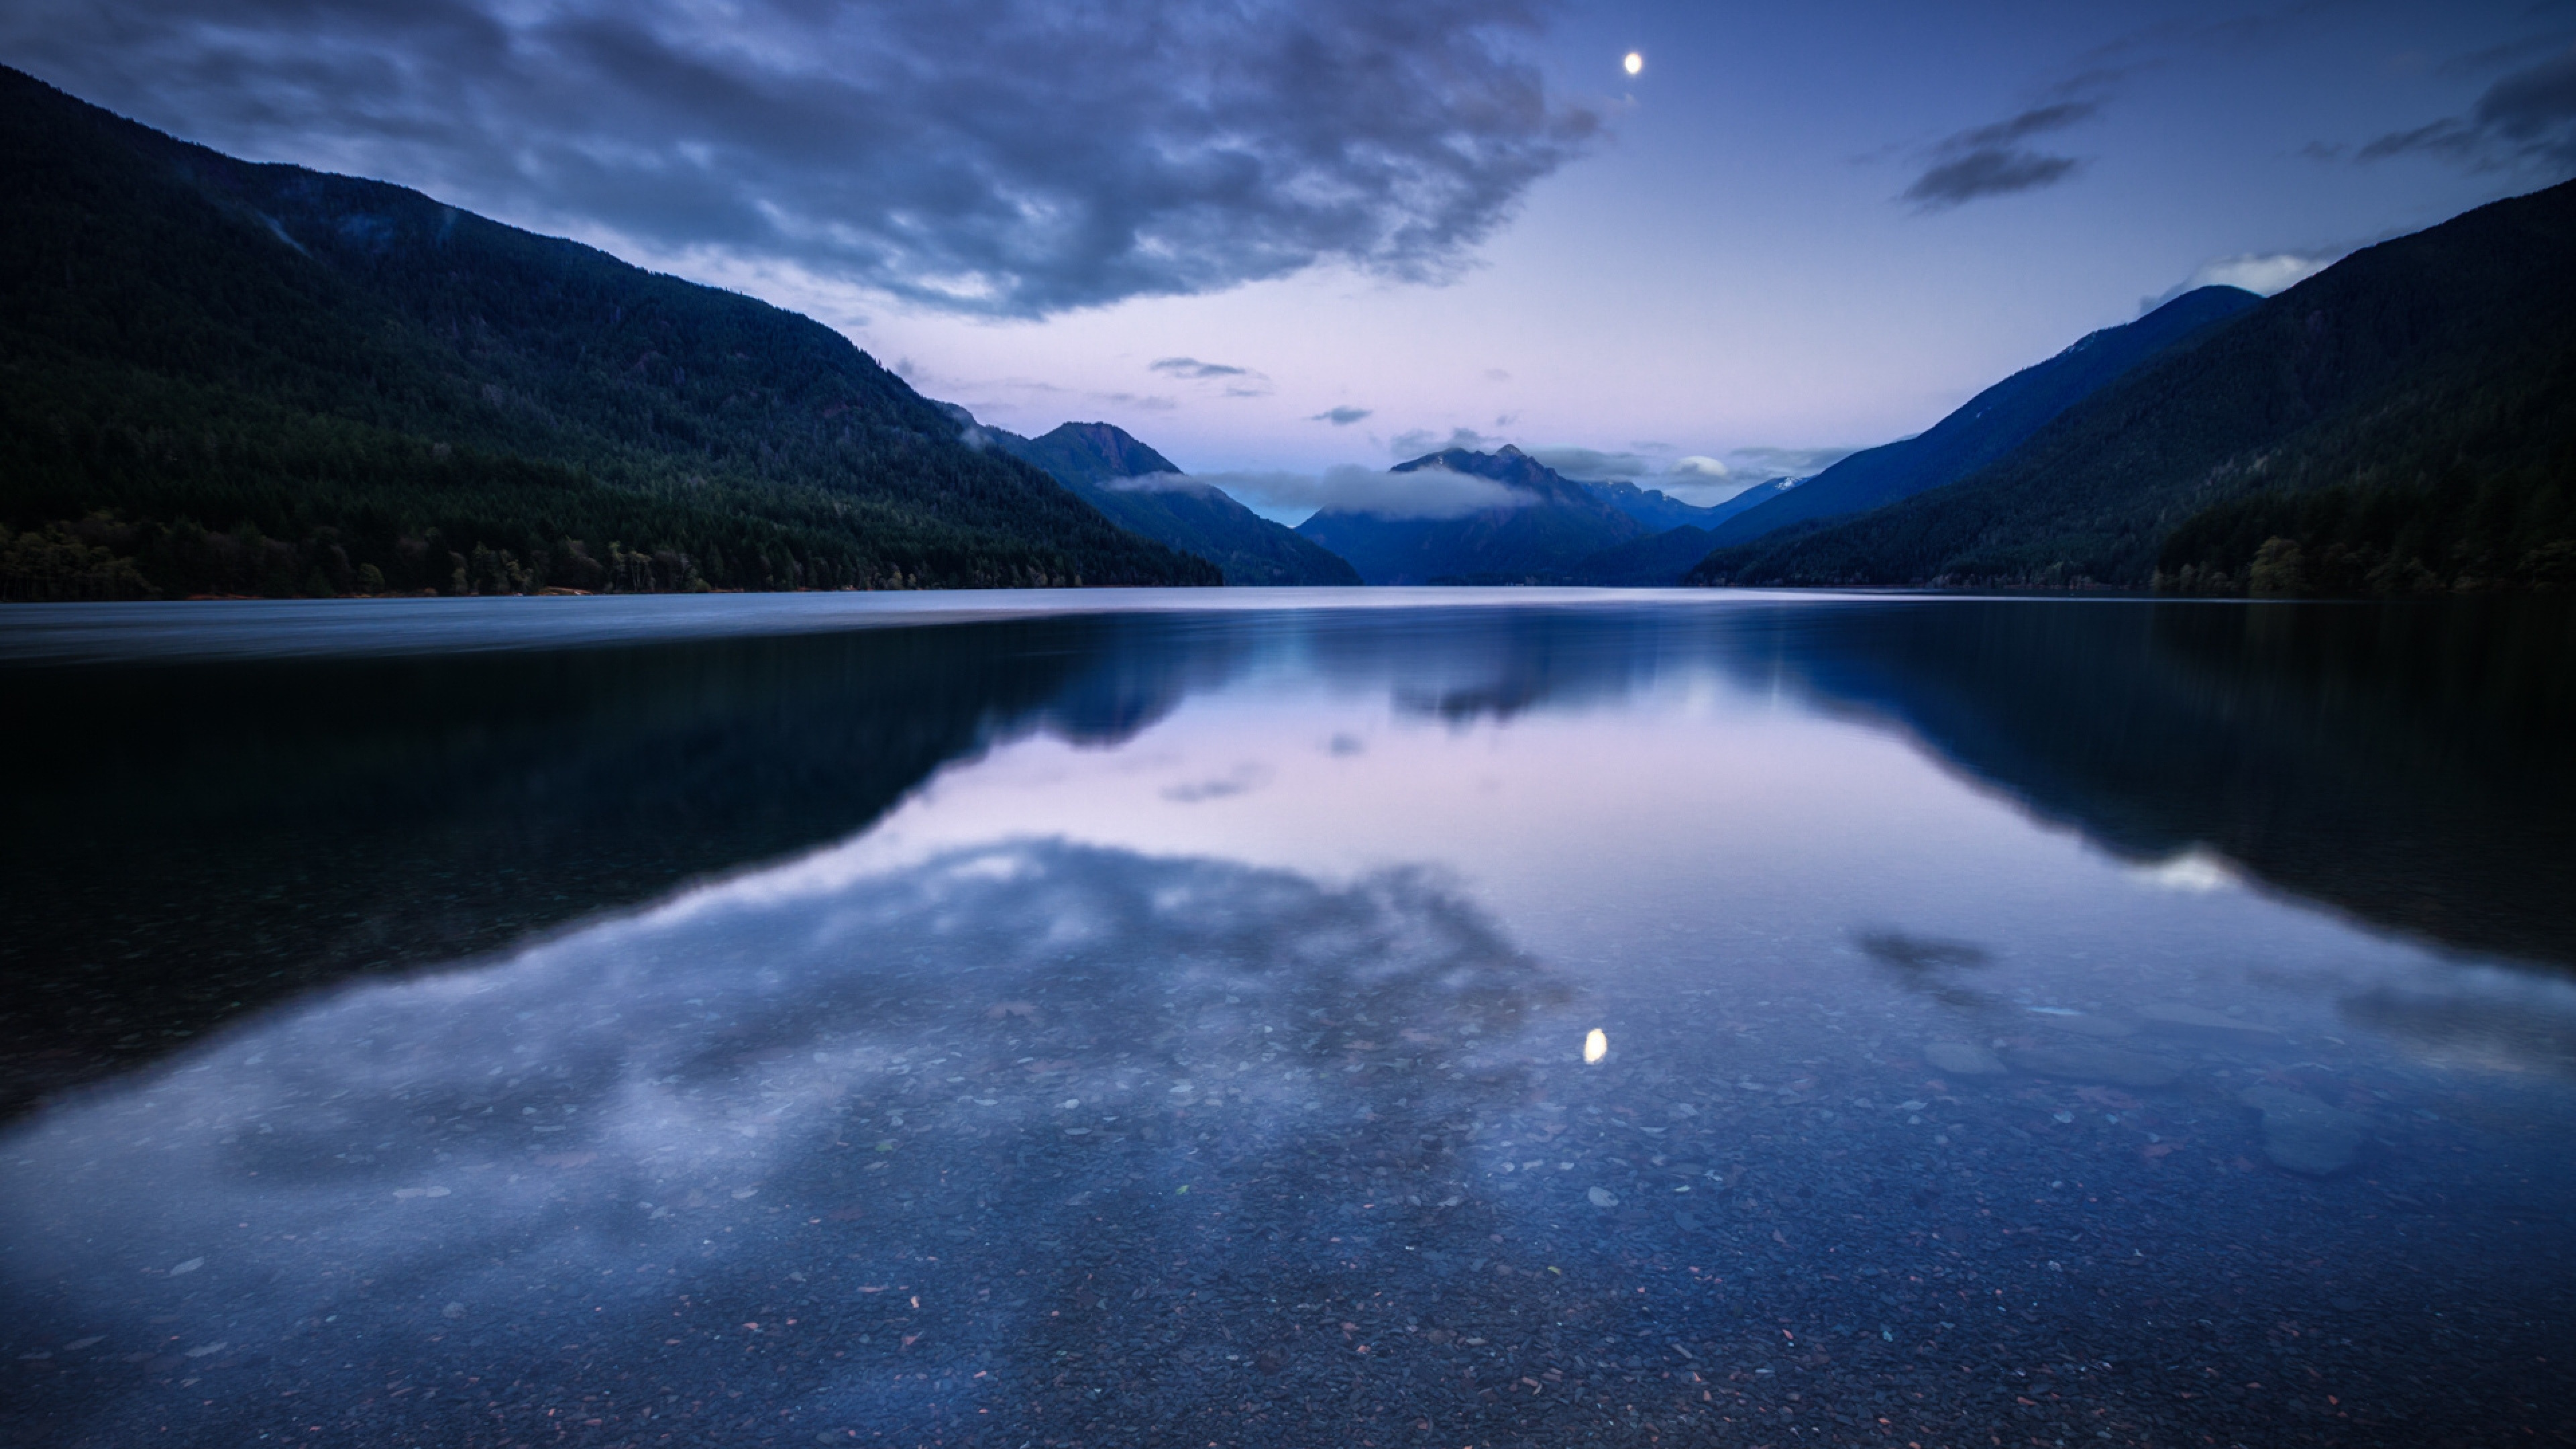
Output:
[[1552, 525]]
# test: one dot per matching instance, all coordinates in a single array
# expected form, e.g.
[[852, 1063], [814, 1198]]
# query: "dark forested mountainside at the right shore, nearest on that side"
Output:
[[2402, 422]]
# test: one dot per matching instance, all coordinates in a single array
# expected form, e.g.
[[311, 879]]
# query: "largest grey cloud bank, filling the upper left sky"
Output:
[[1006, 159]]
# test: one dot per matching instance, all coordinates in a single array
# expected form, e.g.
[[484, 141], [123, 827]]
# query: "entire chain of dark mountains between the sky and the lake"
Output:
[[259, 380]]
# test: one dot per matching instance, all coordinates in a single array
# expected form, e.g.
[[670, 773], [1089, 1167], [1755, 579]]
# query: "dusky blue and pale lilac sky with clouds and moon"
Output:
[[1292, 238]]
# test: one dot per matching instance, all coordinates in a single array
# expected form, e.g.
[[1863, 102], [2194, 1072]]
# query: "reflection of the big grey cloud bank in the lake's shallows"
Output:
[[1032, 1066]]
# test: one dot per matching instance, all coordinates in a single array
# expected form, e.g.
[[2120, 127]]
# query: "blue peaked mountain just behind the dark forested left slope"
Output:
[[1176, 512]]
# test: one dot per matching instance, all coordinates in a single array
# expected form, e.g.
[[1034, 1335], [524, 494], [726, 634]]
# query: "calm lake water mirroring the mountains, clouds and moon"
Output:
[[1392, 1020]]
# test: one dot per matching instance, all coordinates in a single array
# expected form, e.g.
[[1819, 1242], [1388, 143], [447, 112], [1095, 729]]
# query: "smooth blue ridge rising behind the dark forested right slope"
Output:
[[1990, 424]]
